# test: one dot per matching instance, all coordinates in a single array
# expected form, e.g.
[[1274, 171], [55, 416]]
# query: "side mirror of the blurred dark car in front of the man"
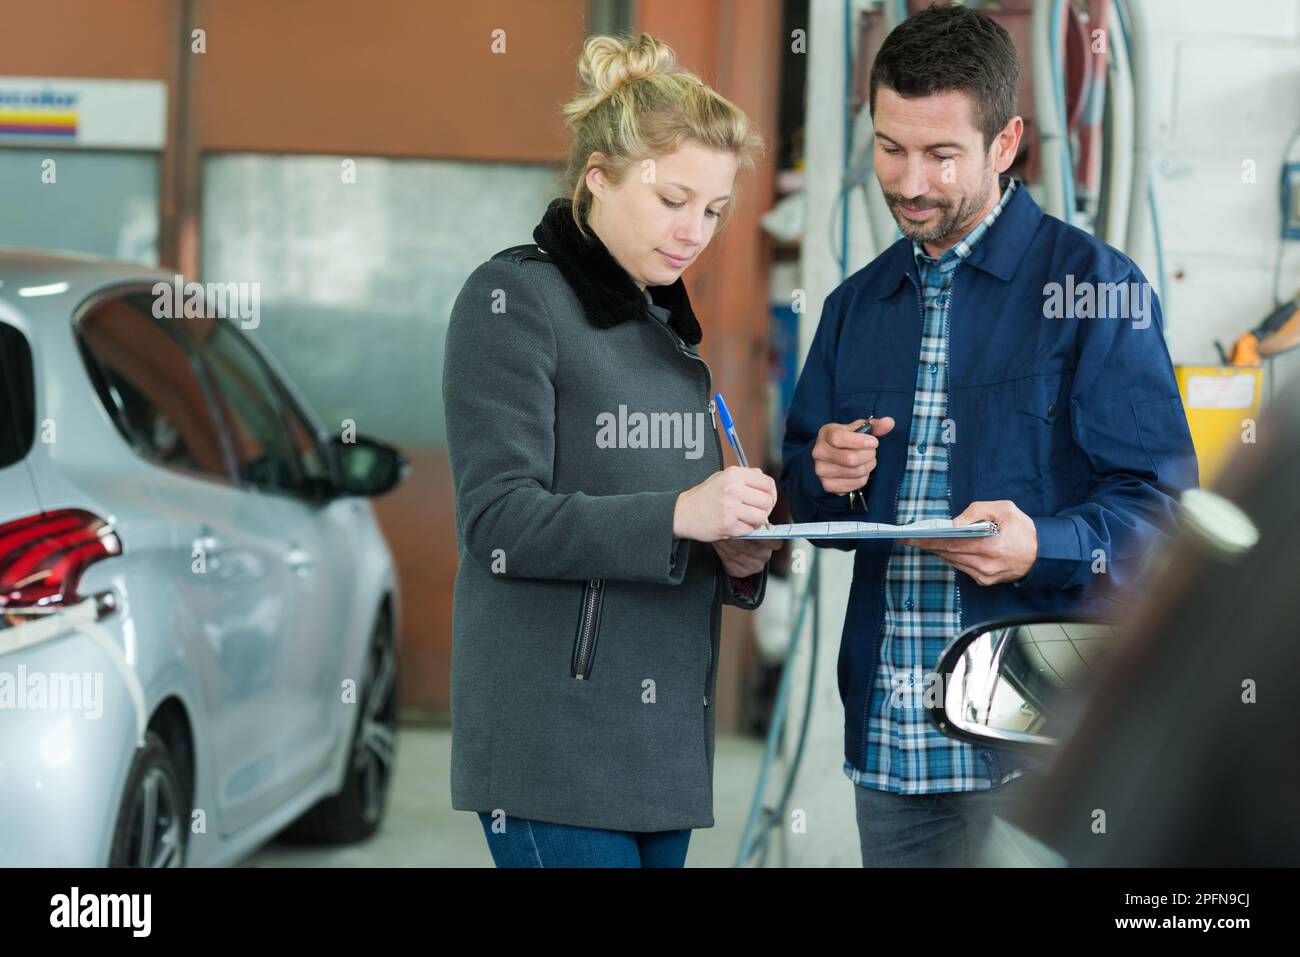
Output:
[[1019, 683]]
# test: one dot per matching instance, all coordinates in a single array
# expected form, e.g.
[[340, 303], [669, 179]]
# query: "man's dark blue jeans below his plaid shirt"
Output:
[[944, 830]]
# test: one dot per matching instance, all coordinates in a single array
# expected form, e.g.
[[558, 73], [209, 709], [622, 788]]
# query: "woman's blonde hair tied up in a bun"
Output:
[[638, 105]]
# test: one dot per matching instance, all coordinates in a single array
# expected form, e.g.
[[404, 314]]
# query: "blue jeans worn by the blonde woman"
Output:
[[541, 845]]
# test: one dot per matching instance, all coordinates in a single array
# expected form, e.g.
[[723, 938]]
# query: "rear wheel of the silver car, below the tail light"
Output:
[[153, 820]]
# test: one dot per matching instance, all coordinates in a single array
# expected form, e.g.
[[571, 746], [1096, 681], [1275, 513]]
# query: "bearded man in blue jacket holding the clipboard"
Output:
[[989, 399]]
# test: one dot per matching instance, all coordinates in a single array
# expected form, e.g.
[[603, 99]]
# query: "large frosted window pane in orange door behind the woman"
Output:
[[358, 279]]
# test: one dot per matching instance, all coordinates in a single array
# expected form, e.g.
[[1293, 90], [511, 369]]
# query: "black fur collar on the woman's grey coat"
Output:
[[608, 293]]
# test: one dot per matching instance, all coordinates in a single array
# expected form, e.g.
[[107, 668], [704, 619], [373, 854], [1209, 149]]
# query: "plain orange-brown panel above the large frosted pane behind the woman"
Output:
[[388, 77]]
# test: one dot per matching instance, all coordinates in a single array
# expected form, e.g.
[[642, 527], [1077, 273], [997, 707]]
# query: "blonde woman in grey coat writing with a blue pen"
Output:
[[595, 514]]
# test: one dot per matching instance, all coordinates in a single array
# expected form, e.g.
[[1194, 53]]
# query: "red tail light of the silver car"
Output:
[[44, 558]]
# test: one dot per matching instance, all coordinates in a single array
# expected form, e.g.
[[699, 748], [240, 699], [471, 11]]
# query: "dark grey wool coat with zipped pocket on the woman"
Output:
[[586, 638]]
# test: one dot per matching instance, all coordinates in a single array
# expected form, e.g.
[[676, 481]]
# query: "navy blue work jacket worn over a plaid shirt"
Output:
[[1061, 399]]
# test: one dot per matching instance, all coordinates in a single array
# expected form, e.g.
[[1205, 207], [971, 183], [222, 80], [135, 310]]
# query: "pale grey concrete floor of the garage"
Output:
[[422, 830]]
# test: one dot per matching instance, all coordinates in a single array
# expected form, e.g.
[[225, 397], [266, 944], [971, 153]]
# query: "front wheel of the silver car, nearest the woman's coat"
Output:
[[357, 811]]
